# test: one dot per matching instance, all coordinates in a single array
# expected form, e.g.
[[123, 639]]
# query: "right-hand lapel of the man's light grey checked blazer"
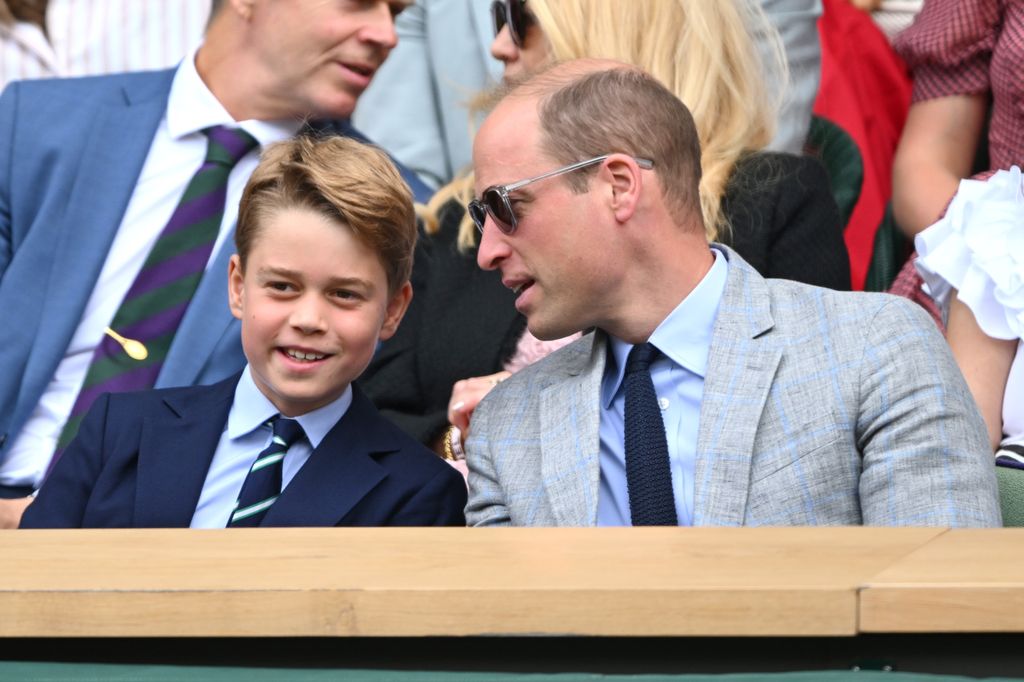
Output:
[[742, 366]]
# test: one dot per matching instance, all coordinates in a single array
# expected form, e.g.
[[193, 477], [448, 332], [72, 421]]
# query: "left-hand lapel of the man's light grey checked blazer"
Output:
[[570, 442]]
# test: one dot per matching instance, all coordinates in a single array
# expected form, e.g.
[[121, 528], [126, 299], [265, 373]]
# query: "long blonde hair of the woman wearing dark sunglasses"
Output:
[[703, 51]]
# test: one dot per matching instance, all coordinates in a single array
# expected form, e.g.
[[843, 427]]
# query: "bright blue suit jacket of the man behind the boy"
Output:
[[71, 152]]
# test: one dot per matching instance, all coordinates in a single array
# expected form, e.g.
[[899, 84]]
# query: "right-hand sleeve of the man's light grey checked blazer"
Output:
[[926, 455]]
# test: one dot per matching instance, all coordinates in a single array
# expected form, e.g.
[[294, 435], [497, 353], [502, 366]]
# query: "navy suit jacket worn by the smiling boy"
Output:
[[141, 461]]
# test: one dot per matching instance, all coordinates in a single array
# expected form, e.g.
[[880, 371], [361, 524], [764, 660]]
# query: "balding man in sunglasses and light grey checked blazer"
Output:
[[782, 404]]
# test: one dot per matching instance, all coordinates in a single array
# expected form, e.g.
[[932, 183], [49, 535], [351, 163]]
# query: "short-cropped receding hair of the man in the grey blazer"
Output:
[[622, 110]]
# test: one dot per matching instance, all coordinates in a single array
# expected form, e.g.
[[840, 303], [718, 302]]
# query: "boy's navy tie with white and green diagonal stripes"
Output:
[[263, 486]]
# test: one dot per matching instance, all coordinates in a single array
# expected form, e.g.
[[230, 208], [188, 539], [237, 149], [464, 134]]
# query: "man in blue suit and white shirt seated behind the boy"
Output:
[[92, 169]]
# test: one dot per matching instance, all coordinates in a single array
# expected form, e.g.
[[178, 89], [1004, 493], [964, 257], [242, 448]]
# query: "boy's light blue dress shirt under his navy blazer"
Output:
[[244, 439]]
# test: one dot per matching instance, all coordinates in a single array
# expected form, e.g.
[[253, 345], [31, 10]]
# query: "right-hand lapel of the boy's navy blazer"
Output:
[[339, 474]]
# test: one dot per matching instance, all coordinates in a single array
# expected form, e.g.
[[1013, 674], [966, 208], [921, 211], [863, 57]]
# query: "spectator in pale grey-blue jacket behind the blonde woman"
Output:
[[417, 106]]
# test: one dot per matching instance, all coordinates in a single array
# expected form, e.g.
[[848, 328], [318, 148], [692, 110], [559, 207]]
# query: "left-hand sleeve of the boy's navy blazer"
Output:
[[66, 493]]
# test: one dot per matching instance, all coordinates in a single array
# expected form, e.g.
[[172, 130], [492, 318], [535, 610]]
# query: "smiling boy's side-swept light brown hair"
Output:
[[354, 184]]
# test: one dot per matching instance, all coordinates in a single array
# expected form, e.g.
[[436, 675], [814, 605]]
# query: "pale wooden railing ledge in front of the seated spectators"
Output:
[[428, 582]]
